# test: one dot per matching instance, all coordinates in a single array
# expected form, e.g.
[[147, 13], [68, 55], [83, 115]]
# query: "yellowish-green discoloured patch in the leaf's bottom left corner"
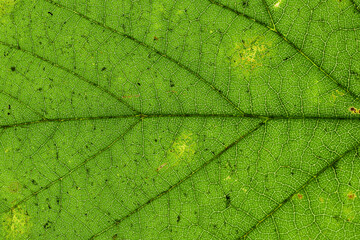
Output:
[[16, 224]]
